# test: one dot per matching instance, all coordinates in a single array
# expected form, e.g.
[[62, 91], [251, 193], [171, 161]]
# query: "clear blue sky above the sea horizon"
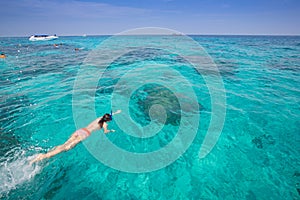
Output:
[[78, 17]]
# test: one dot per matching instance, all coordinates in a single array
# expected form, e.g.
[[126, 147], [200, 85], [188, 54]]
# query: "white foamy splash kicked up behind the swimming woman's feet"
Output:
[[15, 171]]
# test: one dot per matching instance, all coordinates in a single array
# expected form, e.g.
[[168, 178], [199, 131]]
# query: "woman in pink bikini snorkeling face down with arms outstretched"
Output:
[[79, 136]]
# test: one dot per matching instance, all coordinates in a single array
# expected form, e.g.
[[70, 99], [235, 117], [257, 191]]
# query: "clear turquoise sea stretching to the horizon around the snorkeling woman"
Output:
[[256, 156]]
